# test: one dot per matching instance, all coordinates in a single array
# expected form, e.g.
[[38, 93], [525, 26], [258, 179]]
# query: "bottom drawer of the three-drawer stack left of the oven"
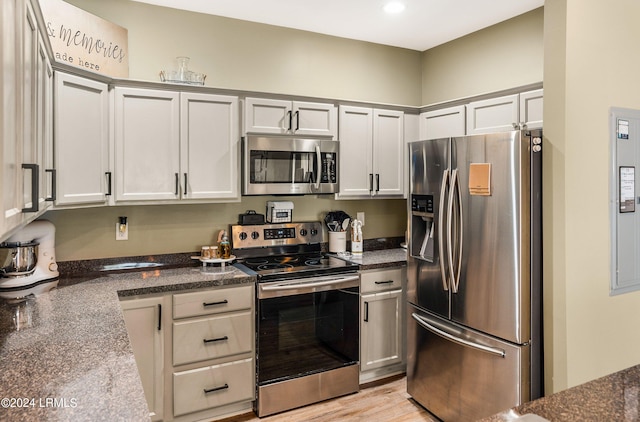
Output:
[[212, 386]]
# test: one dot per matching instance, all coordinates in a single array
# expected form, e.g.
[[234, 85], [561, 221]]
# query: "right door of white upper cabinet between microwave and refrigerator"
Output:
[[388, 152]]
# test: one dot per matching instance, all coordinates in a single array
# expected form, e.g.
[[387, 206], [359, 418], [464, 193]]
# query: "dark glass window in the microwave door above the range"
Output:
[[281, 167]]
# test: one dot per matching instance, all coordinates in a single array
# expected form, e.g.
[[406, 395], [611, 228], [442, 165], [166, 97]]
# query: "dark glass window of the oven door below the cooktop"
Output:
[[305, 334]]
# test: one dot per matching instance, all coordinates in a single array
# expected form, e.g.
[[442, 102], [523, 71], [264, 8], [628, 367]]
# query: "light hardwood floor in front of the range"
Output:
[[383, 402]]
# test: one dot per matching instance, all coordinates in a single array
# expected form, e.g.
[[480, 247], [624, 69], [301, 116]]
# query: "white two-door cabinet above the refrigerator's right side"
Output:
[[518, 111]]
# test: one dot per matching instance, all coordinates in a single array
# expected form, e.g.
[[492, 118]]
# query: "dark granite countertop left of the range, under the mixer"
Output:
[[66, 354]]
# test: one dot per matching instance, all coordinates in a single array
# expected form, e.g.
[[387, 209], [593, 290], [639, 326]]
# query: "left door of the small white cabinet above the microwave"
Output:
[[267, 116]]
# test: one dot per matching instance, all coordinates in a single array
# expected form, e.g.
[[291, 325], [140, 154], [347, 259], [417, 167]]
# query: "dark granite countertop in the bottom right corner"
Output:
[[614, 397]]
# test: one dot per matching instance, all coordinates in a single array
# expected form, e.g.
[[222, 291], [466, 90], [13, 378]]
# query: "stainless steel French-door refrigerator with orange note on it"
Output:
[[475, 273]]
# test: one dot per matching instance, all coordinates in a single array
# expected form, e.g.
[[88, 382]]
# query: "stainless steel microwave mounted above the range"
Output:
[[289, 166]]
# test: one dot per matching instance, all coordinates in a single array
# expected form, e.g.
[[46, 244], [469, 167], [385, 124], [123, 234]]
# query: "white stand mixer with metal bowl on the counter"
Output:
[[28, 261]]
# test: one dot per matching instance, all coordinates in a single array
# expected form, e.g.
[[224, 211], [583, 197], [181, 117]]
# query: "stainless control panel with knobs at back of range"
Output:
[[265, 235]]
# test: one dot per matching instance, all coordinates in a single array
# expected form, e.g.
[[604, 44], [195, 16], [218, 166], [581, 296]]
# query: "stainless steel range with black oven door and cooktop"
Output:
[[307, 341]]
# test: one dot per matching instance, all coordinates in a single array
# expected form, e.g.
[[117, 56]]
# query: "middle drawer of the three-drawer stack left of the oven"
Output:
[[211, 338]]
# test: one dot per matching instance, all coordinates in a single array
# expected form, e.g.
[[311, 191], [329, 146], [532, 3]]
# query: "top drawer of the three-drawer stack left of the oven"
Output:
[[212, 301]]
